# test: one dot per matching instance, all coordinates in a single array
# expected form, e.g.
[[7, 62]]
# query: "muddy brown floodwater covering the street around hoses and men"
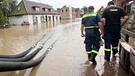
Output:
[[66, 58]]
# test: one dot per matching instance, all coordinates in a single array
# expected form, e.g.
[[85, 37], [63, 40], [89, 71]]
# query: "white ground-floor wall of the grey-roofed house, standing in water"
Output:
[[31, 19]]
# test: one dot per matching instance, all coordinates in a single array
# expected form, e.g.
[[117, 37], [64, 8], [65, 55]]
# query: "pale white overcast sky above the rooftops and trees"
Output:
[[73, 3]]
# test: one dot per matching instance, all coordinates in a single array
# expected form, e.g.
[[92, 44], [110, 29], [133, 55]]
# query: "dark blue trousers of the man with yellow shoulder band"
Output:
[[92, 41]]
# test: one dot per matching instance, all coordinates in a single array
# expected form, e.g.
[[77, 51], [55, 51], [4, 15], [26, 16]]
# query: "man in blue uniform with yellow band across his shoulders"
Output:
[[90, 25]]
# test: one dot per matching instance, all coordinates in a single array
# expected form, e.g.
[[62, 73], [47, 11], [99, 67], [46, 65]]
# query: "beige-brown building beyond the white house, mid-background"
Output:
[[67, 12]]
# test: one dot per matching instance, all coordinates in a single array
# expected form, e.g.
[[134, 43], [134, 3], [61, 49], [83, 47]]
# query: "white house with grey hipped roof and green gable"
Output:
[[32, 12]]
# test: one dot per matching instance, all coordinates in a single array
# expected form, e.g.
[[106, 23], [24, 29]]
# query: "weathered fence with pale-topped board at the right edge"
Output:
[[127, 52]]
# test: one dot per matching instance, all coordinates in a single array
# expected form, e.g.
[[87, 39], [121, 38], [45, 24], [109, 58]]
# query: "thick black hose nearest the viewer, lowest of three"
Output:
[[14, 66]]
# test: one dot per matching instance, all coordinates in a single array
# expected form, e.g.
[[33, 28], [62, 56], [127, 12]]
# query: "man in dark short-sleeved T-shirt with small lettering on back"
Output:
[[112, 25]]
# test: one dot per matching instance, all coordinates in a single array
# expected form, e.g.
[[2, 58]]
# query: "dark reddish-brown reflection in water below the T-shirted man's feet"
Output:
[[113, 68]]
